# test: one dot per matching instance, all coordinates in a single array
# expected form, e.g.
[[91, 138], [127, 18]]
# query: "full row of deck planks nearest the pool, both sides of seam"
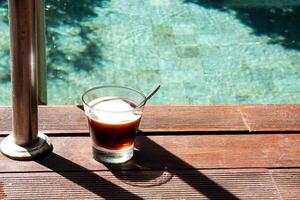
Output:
[[71, 119]]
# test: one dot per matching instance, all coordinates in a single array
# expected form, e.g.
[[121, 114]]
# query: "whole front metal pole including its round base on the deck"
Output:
[[25, 142]]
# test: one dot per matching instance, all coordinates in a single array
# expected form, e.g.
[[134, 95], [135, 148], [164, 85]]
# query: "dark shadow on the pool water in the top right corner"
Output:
[[280, 23]]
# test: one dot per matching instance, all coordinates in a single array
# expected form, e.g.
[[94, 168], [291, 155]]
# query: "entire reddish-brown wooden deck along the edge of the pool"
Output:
[[182, 152]]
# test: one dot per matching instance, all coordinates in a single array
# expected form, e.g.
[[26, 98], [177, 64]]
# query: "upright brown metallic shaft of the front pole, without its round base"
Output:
[[23, 71]]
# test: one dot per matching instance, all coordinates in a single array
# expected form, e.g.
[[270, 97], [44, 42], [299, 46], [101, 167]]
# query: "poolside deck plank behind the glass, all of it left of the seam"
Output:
[[70, 119]]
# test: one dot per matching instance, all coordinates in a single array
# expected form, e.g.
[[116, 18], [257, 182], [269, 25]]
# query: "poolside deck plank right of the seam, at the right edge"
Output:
[[272, 117]]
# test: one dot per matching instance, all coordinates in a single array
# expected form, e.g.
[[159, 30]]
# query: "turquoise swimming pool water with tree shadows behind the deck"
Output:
[[200, 52]]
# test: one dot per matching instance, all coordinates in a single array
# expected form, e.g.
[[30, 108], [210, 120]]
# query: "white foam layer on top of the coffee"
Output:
[[113, 110]]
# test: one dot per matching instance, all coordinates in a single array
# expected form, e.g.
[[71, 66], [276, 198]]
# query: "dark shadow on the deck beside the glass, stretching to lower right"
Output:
[[159, 158]]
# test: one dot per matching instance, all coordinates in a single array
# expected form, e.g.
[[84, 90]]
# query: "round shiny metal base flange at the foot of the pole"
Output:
[[10, 149]]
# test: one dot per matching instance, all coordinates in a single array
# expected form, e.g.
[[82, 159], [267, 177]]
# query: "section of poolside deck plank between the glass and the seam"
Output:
[[192, 118]]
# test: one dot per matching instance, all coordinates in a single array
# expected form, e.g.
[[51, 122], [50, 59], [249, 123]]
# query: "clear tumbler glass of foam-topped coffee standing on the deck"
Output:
[[114, 115]]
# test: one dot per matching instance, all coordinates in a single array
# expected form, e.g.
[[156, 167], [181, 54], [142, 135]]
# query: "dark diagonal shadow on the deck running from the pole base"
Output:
[[88, 180]]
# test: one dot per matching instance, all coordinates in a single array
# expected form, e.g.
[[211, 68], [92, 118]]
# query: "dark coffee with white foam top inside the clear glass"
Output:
[[114, 130]]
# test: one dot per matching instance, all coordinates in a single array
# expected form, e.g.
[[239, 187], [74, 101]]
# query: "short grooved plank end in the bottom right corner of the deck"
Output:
[[287, 182]]
